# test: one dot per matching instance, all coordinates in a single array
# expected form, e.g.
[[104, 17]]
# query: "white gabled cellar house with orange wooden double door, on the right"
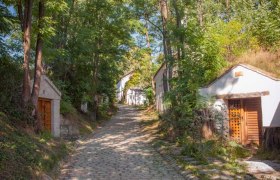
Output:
[[252, 99]]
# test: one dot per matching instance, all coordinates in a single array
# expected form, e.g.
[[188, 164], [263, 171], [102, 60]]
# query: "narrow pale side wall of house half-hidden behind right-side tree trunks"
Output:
[[158, 79]]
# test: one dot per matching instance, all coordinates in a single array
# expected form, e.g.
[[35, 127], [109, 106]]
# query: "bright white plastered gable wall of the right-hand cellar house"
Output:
[[251, 81]]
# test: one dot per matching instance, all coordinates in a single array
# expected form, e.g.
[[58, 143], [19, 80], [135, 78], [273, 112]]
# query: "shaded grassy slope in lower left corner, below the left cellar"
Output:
[[25, 155]]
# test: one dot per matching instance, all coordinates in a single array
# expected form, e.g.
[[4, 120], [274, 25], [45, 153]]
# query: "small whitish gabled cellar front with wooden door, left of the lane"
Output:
[[49, 105]]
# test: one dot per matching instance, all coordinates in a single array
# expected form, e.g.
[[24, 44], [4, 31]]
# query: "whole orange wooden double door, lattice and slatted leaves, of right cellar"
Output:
[[245, 120]]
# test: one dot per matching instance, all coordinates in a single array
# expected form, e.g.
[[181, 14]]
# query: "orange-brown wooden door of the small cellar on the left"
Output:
[[44, 107]]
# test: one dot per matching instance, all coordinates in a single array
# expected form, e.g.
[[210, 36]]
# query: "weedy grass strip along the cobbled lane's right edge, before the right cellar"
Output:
[[207, 159]]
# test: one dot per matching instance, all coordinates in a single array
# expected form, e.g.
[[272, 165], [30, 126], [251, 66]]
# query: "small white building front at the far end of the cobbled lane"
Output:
[[135, 97]]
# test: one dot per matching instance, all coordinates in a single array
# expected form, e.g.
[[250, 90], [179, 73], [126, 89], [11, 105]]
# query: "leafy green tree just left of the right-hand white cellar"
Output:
[[201, 63]]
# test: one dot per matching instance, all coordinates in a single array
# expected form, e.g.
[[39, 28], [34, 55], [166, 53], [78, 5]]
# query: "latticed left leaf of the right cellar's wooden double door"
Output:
[[235, 117]]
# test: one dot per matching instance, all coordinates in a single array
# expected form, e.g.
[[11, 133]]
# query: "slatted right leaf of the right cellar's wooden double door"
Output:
[[253, 121]]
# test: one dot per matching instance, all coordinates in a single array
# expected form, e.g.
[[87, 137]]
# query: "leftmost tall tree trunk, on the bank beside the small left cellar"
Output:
[[26, 47]]
